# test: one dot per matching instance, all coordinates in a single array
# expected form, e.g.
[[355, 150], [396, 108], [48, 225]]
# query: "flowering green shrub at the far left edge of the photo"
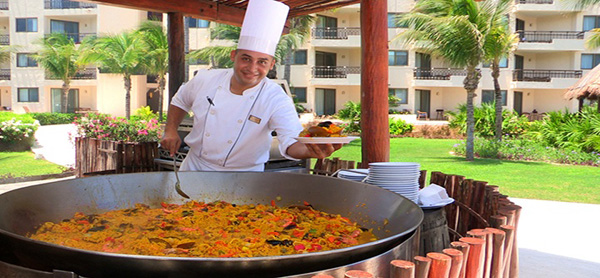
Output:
[[16, 135]]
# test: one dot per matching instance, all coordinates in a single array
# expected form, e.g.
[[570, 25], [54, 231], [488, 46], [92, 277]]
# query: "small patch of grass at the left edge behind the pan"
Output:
[[23, 164]]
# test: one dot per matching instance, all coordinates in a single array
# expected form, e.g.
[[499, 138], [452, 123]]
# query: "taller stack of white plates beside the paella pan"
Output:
[[399, 177]]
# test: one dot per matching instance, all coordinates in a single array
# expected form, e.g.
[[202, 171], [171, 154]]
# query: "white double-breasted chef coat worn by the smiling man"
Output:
[[233, 132]]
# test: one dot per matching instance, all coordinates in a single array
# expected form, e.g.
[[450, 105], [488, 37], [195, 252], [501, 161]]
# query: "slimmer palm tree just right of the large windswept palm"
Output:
[[499, 43]]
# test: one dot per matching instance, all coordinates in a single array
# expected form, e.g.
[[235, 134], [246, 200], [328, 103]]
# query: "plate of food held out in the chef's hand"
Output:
[[324, 133]]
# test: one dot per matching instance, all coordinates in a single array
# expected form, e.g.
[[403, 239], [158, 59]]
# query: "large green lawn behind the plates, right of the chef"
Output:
[[521, 179]]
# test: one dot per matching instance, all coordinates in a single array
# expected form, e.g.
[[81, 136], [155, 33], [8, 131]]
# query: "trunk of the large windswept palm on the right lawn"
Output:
[[470, 83]]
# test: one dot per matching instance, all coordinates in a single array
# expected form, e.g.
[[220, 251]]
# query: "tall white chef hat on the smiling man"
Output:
[[262, 27]]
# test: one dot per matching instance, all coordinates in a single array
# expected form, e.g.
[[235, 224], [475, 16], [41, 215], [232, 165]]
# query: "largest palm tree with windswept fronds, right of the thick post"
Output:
[[454, 30]]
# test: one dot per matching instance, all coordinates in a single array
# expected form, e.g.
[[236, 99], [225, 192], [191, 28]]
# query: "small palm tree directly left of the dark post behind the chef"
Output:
[[156, 59]]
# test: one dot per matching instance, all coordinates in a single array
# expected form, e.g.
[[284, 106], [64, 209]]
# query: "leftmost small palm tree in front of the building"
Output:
[[61, 59]]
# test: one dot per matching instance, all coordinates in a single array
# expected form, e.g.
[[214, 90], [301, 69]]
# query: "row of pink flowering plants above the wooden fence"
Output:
[[106, 127]]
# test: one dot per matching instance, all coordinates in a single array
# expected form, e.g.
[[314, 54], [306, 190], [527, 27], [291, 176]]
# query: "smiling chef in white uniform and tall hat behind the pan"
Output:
[[235, 110]]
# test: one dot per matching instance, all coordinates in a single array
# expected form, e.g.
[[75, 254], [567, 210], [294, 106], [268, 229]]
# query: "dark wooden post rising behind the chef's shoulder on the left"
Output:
[[176, 52]]
